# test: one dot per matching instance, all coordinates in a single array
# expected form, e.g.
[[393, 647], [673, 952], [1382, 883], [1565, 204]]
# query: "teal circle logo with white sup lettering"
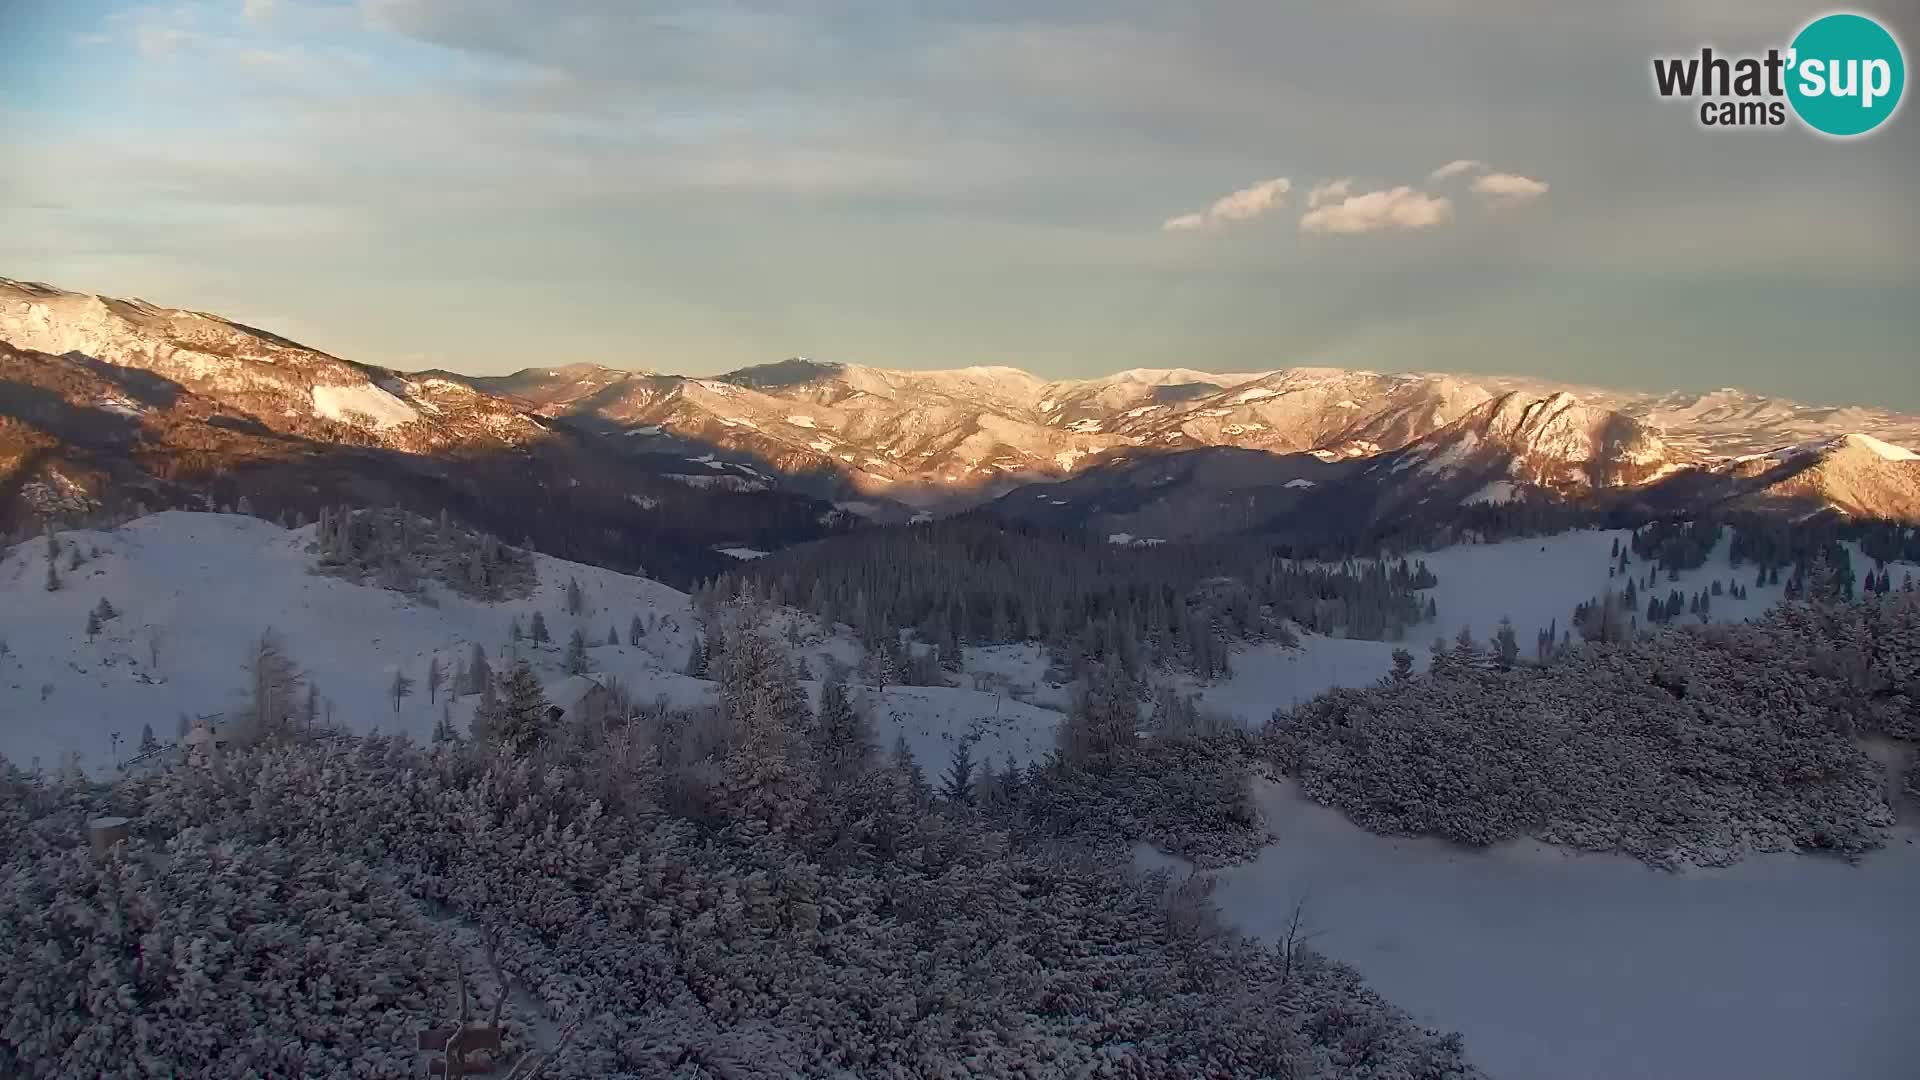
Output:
[[1846, 74]]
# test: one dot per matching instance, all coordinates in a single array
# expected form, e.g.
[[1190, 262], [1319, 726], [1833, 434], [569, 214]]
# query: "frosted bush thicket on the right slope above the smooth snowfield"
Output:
[[1694, 745]]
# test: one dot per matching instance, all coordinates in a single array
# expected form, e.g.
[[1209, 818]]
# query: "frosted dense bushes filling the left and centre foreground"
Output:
[[293, 908]]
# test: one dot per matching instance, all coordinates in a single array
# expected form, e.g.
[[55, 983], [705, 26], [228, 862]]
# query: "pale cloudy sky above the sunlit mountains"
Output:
[[1061, 185]]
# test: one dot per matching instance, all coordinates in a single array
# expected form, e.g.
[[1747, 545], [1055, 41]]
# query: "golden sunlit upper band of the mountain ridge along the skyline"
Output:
[[890, 443]]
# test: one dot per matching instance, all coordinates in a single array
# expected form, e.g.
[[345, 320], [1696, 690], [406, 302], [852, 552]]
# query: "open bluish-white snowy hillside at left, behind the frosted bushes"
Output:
[[195, 591]]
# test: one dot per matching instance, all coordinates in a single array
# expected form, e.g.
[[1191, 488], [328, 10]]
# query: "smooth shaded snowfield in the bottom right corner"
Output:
[[1595, 968]]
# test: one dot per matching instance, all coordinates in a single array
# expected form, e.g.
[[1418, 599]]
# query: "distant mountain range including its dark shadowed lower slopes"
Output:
[[101, 395]]
